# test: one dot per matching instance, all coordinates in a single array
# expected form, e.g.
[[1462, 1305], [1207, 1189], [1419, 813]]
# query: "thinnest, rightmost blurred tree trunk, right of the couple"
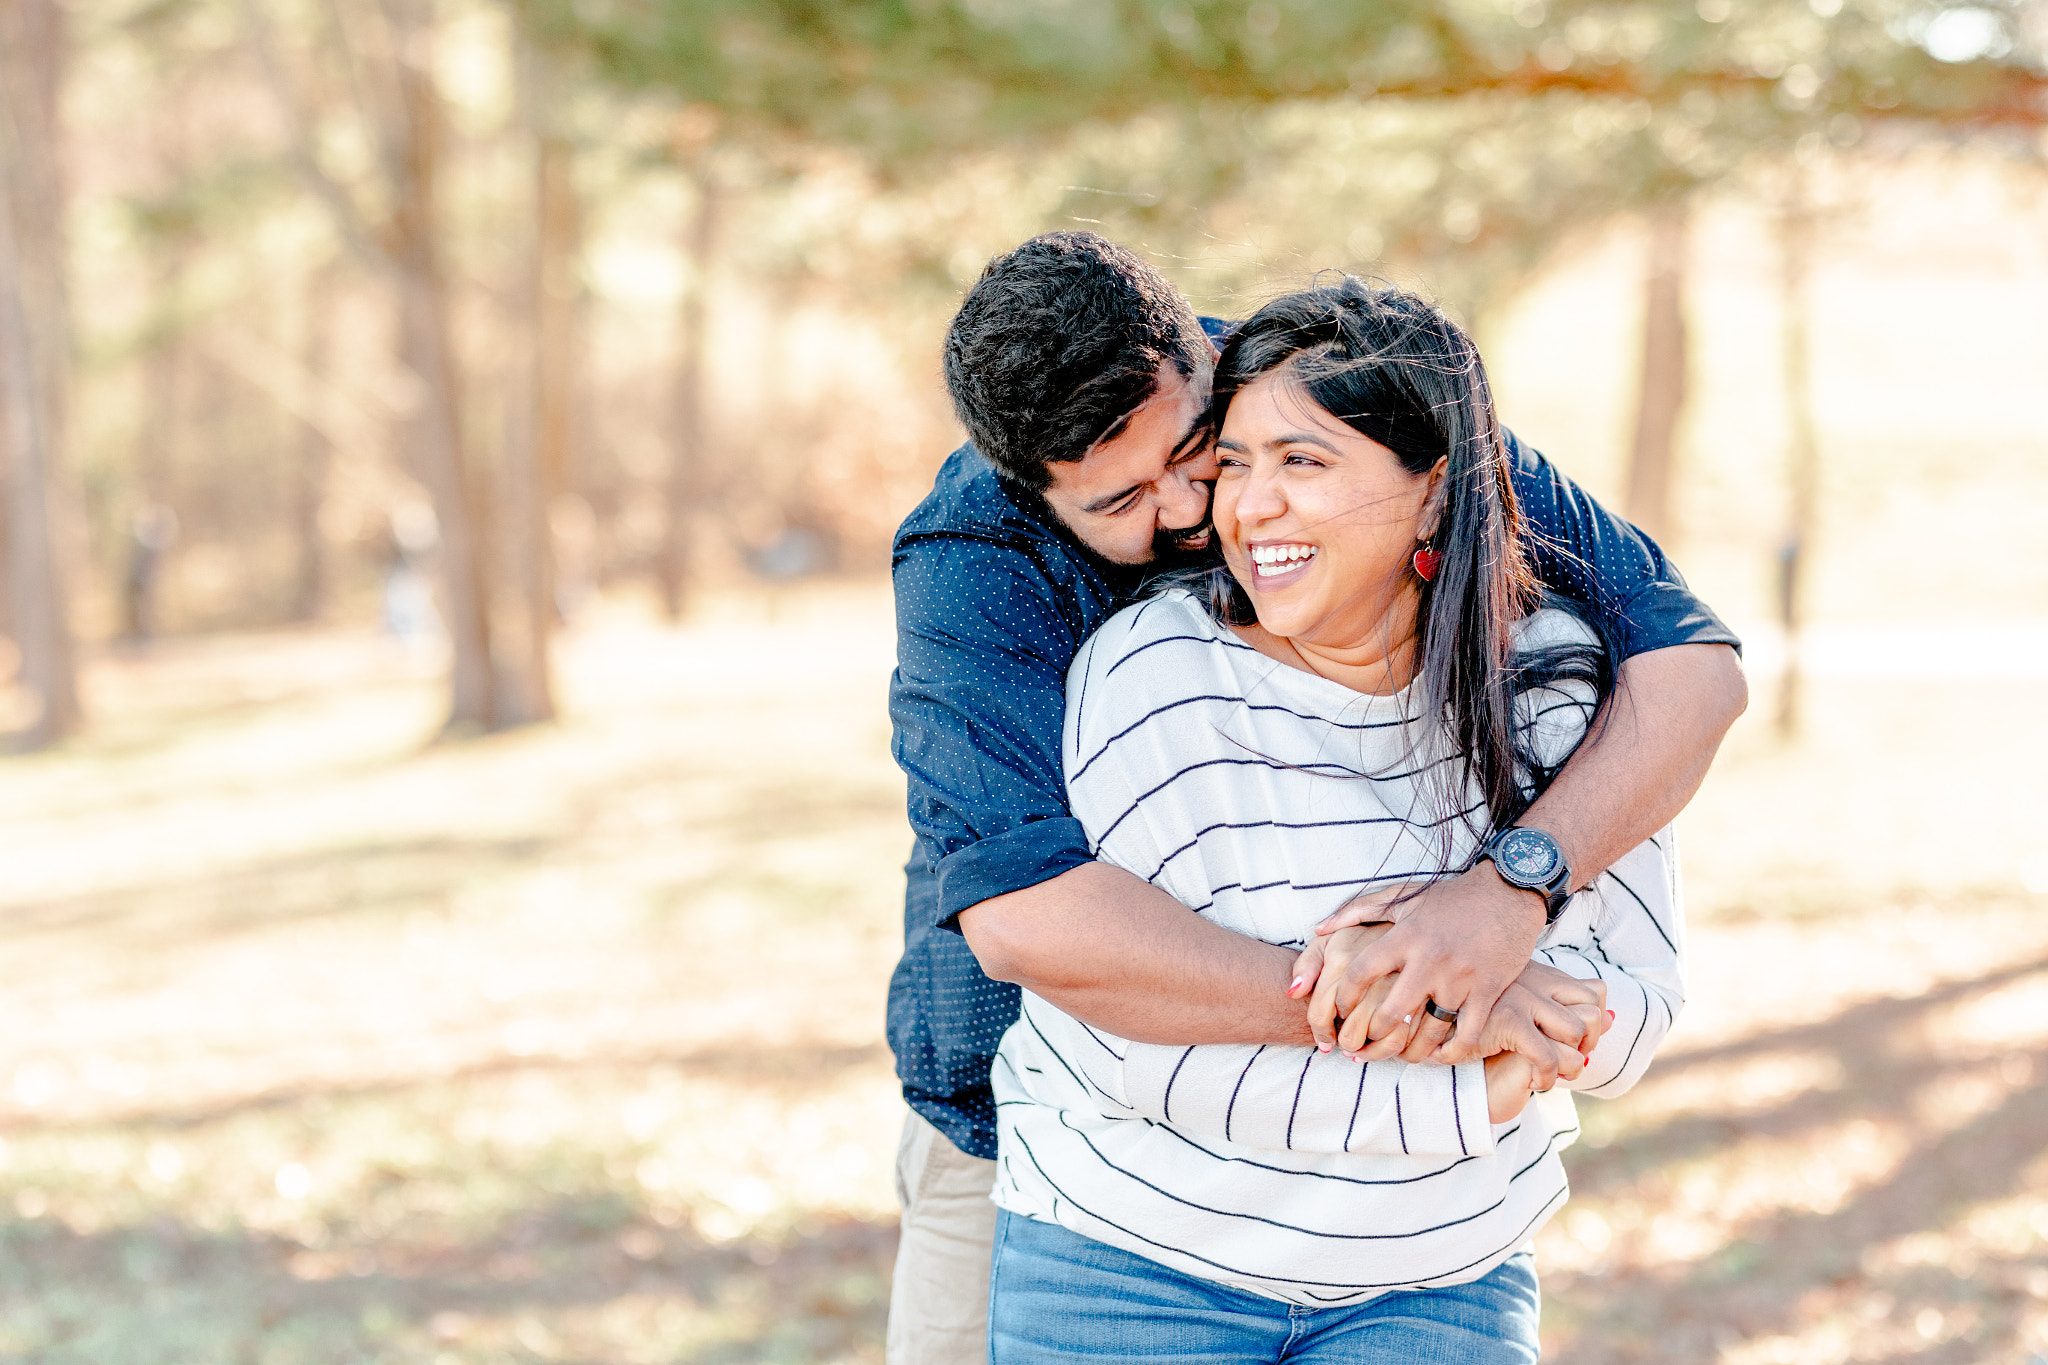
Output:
[[1803, 451]]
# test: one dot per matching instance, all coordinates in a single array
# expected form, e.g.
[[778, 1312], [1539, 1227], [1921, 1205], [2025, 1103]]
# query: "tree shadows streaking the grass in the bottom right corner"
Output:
[[1791, 1268]]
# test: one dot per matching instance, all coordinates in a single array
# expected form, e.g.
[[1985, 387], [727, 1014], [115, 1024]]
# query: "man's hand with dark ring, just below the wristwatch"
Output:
[[1459, 942]]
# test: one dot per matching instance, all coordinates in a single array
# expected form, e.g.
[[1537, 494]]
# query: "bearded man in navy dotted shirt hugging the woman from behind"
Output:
[[1082, 376]]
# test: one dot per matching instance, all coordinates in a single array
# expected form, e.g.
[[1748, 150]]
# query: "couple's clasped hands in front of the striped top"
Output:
[[1535, 1028]]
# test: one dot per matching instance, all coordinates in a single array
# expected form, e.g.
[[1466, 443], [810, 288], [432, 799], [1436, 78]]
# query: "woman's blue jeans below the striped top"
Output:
[[1060, 1296]]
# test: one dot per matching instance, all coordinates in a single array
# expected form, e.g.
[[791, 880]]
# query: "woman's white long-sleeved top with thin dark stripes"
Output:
[[1265, 797]]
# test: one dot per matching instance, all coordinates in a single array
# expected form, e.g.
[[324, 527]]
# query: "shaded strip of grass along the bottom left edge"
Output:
[[579, 1278]]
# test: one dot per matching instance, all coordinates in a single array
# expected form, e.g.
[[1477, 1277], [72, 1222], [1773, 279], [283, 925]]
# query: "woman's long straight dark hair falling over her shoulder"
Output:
[[1396, 369]]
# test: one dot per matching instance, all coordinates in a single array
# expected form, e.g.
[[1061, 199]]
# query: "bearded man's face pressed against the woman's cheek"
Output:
[[1144, 490]]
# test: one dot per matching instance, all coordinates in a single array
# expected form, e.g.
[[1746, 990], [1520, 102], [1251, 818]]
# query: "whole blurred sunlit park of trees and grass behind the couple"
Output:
[[450, 852]]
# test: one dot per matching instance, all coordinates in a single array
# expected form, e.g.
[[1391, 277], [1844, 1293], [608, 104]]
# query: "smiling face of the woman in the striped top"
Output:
[[1316, 521]]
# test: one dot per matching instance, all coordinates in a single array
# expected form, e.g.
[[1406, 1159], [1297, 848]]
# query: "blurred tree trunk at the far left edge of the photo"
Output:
[[34, 355]]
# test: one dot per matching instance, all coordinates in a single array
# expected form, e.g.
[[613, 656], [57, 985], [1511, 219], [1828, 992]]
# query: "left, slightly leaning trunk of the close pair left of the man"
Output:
[[429, 347]]
